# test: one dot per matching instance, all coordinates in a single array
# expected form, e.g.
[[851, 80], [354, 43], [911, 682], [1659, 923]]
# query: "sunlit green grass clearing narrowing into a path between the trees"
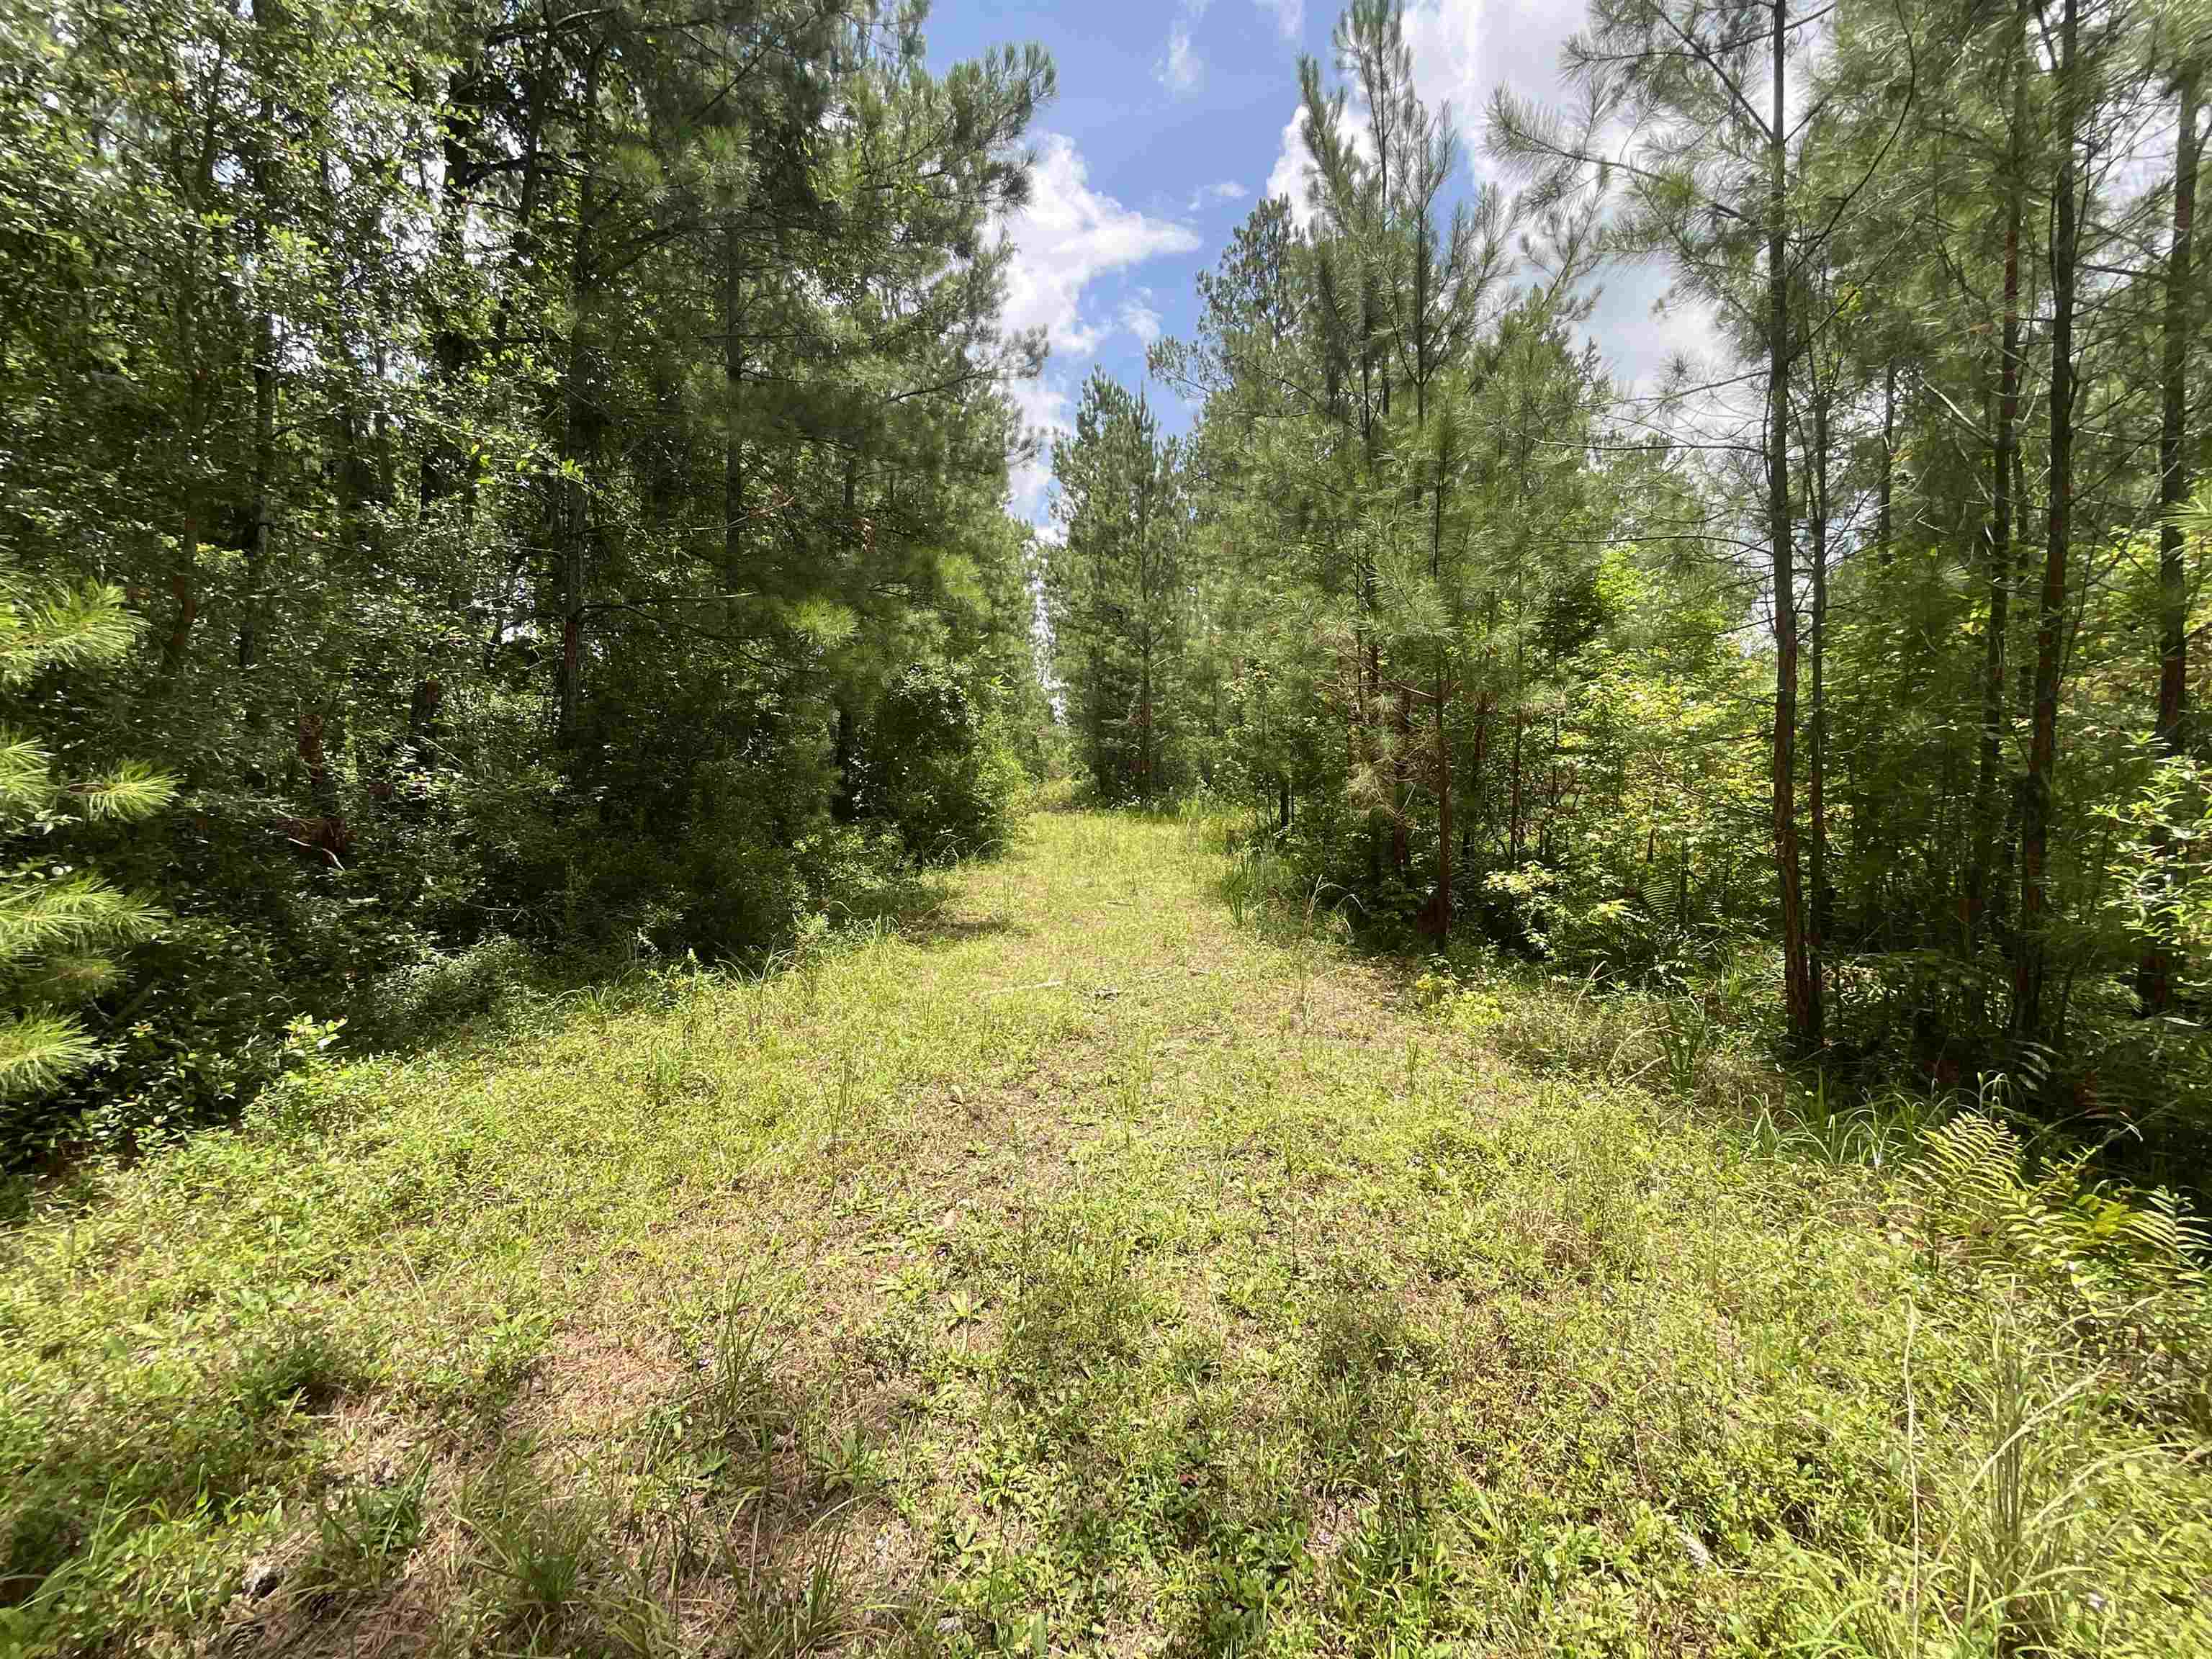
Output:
[[1085, 1271]]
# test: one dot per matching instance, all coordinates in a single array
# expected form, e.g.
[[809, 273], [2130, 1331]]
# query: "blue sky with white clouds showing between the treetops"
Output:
[[1173, 118]]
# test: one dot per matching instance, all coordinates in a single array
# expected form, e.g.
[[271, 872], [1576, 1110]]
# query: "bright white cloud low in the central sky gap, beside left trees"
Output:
[[1067, 238]]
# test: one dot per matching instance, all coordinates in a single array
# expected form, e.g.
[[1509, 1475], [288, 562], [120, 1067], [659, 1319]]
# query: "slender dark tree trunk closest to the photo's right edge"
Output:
[[2173, 731]]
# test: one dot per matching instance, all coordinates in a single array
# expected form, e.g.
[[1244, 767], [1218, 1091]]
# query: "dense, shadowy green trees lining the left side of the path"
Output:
[[534, 437]]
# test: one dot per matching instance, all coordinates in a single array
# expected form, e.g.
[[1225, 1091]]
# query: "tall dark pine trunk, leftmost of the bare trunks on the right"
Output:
[[1797, 966]]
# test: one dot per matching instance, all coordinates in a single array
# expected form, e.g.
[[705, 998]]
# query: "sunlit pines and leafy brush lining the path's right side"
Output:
[[1866, 651]]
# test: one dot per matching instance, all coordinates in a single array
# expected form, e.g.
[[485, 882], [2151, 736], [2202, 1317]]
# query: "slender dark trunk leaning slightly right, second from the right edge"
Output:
[[2032, 961]]
